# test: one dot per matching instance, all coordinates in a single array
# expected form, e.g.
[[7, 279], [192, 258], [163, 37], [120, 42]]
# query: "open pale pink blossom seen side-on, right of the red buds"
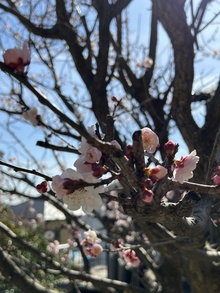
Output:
[[185, 166]]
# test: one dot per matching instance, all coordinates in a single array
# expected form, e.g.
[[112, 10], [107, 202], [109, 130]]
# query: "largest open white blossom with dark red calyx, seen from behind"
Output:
[[66, 187]]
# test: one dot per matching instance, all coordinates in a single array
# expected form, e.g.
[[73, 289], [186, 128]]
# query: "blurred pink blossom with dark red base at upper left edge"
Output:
[[17, 58]]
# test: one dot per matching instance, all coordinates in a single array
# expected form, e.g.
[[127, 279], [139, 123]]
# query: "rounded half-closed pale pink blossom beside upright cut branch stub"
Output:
[[150, 140]]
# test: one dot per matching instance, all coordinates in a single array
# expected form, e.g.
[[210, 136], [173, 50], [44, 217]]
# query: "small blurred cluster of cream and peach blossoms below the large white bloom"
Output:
[[91, 247]]
